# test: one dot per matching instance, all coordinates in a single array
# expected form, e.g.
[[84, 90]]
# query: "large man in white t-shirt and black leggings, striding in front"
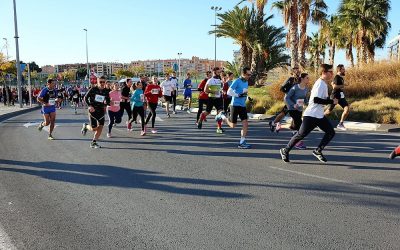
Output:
[[314, 116]]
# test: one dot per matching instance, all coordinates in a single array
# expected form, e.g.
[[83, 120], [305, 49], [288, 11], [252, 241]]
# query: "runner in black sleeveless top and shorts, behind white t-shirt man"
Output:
[[337, 93]]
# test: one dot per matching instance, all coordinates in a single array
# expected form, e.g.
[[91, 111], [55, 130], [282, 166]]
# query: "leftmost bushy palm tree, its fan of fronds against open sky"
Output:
[[236, 24]]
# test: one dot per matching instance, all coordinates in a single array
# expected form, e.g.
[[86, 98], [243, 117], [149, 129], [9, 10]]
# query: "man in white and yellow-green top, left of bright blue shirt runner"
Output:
[[213, 88]]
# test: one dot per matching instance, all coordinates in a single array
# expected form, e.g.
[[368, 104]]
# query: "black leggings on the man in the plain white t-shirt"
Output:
[[308, 125]]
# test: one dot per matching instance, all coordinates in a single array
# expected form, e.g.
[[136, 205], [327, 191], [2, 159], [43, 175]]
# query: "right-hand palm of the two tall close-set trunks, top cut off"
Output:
[[314, 10]]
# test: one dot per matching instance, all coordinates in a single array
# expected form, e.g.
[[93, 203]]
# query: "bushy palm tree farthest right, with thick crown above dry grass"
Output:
[[370, 20]]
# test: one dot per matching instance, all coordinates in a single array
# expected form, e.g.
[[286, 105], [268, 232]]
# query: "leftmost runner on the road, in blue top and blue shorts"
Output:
[[48, 99]]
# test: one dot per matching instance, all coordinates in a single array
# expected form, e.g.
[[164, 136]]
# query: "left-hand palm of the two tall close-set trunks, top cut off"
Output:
[[290, 12]]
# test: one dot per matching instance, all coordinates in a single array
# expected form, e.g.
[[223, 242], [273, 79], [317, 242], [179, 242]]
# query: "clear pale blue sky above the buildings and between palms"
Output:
[[124, 30]]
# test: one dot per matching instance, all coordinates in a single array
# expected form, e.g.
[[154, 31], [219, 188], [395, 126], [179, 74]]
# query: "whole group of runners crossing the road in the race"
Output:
[[217, 90]]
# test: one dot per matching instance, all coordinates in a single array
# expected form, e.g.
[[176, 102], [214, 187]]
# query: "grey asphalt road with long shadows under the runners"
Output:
[[190, 189]]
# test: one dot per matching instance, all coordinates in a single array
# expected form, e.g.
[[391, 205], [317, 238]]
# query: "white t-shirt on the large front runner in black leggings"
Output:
[[320, 89]]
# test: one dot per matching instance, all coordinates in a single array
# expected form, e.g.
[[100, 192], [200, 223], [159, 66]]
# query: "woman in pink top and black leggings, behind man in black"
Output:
[[113, 111]]
